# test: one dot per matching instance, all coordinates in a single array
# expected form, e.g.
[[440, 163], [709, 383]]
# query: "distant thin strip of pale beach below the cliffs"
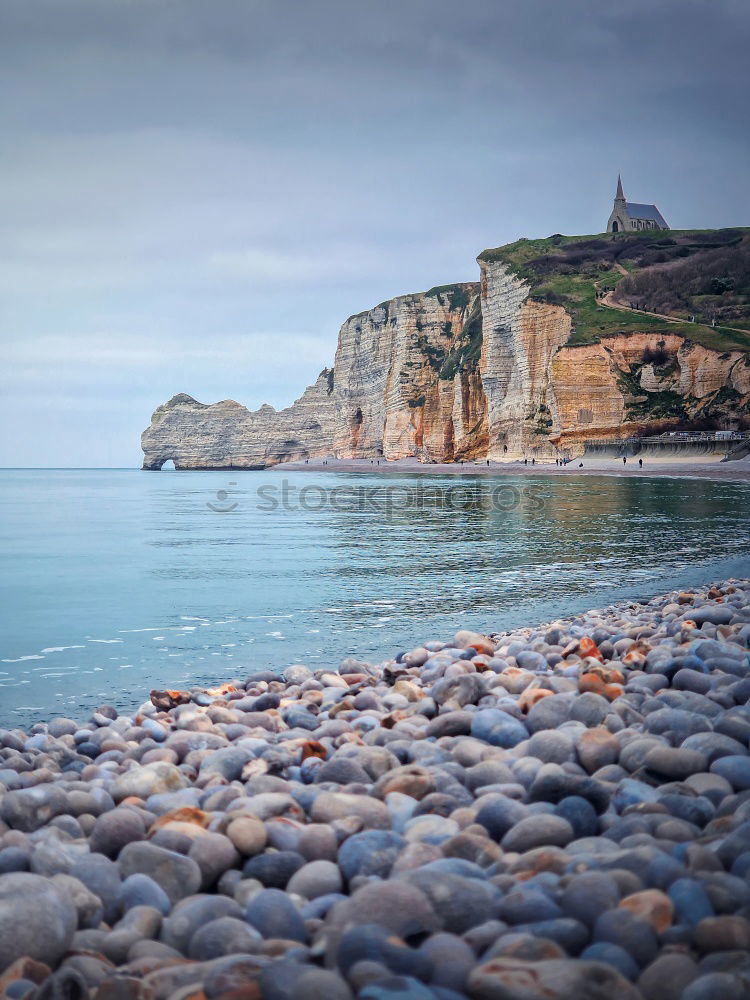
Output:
[[677, 468]]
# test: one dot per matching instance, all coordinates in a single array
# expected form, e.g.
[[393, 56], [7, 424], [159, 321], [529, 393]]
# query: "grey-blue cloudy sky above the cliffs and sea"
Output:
[[194, 195]]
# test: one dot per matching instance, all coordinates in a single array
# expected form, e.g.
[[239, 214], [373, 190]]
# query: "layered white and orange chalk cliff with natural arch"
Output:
[[504, 367]]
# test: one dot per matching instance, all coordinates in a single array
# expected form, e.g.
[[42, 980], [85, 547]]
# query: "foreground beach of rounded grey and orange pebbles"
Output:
[[555, 812]]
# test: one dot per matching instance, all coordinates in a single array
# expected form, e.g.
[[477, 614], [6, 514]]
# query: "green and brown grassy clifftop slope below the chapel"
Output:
[[700, 273]]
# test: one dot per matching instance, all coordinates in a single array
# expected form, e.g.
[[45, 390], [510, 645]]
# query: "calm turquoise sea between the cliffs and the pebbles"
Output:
[[118, 581]]
